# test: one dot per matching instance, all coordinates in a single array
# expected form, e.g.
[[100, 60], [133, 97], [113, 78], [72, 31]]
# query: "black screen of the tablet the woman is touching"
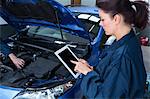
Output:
[[66, 56]]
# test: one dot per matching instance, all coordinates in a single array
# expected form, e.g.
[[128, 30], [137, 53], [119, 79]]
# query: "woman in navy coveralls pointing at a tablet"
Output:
[[120, 72]]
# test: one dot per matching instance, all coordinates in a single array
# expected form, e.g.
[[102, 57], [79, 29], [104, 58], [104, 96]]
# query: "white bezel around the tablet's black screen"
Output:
[[61, 50]]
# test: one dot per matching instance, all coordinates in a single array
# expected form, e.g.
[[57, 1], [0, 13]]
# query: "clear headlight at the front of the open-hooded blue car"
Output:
[[44, 93]]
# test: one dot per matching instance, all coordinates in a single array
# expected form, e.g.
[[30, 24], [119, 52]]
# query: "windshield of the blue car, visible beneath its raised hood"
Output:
[[55, 33]]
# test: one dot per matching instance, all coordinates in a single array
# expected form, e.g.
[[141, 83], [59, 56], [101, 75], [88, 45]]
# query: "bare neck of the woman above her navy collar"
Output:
[[122, 31]]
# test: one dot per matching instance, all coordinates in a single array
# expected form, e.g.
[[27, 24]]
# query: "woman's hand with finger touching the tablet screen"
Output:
[[82, 66]]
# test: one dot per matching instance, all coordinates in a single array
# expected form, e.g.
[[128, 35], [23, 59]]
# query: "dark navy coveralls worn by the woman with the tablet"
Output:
[[120, 72]]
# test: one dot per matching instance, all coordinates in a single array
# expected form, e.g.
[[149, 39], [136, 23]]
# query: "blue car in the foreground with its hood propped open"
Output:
[[36, 29]]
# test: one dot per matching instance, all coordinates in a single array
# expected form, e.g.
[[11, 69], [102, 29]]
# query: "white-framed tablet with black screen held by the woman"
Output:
[[65, 55]]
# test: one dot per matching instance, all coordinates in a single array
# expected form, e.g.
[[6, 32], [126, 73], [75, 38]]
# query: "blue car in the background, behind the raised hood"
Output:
[[88, 16]]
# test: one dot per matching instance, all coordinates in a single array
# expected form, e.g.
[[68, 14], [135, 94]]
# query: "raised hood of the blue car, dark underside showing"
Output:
[[20, 13]]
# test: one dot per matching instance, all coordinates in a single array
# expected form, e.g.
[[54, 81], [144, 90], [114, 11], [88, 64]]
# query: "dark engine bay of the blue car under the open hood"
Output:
[[42, 68]]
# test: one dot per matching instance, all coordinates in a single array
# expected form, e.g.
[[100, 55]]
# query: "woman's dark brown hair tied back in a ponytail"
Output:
[[134, 12]]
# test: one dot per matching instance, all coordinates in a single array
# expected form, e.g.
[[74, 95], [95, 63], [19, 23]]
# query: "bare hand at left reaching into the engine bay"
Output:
[[19, 63]]
